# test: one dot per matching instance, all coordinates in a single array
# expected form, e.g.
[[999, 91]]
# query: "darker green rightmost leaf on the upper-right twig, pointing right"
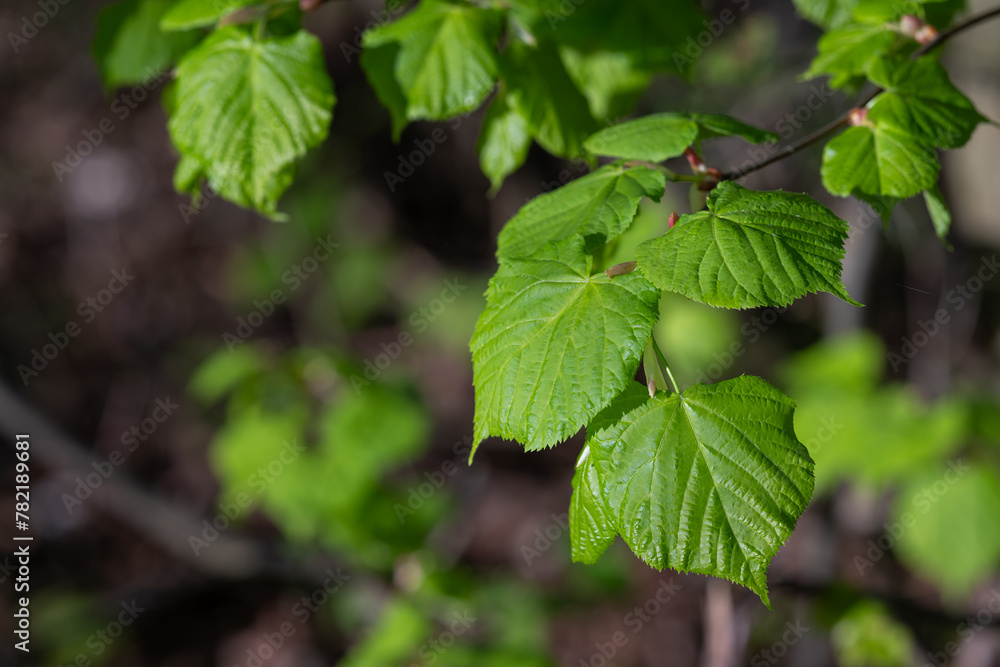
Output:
[[921, 92]]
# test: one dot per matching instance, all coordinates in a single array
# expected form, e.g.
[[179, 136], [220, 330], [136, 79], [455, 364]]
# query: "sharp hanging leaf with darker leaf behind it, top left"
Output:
[[248, 100]]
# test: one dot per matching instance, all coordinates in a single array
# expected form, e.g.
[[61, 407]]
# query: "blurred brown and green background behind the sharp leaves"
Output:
[[249, 439]]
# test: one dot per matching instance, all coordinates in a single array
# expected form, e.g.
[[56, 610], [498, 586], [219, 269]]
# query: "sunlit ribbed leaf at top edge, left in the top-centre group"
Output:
[[446, 64]]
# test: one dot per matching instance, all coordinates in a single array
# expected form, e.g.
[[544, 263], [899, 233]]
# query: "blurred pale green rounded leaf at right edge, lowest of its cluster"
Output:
[[950, 531]]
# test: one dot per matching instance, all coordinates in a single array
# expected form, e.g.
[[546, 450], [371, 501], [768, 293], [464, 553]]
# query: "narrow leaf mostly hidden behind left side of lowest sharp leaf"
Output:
[[592, 524]]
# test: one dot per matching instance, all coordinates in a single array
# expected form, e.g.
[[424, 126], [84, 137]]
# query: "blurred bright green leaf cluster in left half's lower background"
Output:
[[314, 454]]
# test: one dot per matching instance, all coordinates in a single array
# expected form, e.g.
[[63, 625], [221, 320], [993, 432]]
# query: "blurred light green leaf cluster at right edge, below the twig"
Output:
[[940, 459]]
